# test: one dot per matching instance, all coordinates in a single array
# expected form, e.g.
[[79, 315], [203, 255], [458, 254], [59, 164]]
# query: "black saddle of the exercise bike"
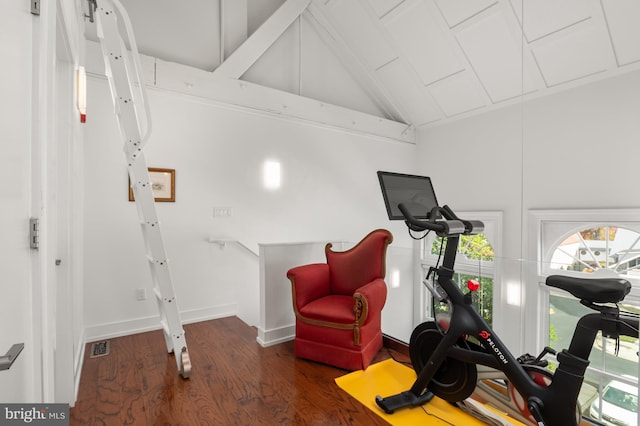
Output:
[[596, 290]]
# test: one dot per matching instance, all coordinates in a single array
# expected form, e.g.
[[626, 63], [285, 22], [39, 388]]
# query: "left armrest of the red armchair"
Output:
[[309, 282]]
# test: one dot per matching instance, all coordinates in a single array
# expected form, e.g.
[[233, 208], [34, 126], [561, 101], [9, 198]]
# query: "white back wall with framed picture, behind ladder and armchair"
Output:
[[329, 192]]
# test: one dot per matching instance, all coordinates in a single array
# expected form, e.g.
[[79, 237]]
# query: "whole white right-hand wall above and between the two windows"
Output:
[[575, 149]]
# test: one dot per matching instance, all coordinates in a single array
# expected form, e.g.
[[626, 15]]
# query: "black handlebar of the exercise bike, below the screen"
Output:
[[451, 225]]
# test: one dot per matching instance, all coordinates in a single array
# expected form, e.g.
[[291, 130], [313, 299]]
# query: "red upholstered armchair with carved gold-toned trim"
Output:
[[338, 304]]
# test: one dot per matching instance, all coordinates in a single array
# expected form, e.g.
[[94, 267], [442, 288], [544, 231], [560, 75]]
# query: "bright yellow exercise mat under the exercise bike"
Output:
[[389, 378]]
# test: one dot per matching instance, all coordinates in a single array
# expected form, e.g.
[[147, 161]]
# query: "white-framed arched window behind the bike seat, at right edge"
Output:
[[591, 244]]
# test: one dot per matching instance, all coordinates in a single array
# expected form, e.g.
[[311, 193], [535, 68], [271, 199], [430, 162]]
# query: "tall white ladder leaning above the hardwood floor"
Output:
[[127, 88]]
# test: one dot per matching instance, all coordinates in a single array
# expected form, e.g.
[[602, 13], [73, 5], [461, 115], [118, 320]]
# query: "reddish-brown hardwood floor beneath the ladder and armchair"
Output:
[[234, 381]]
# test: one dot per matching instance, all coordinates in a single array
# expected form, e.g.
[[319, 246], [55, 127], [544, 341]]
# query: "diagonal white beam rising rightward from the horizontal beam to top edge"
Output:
[[258, 43]]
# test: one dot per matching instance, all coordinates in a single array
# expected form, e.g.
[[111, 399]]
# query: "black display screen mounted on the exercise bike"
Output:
[[415, 192]]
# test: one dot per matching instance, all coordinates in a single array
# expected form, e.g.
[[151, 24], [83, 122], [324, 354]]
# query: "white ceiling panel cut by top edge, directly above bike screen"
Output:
[[424, 40]]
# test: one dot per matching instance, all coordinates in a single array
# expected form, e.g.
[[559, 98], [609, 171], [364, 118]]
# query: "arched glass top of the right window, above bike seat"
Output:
[[599, 248]]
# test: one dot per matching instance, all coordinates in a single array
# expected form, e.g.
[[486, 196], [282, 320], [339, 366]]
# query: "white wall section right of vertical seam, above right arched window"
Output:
[[586, 139]]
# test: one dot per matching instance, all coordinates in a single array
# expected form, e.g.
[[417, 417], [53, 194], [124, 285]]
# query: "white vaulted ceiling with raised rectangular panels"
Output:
[[422, 62]]
